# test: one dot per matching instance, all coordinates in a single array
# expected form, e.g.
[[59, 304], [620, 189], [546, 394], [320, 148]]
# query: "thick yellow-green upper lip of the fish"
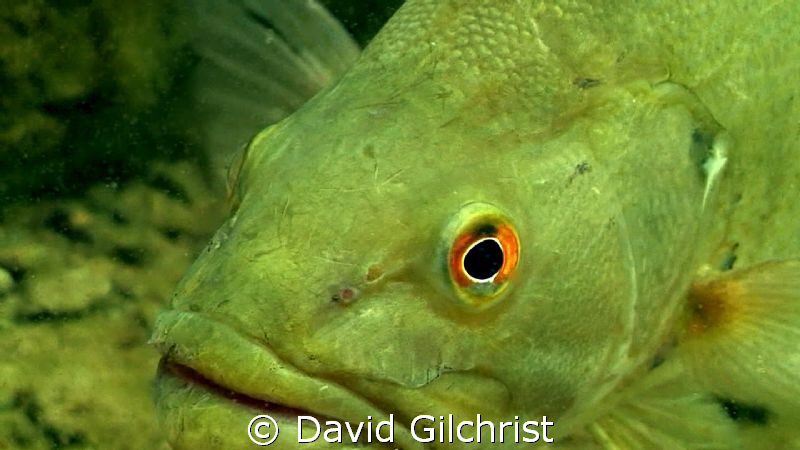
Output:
[[193, 341]]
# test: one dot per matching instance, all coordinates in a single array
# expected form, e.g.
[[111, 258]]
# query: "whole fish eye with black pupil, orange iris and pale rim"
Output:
[[482, 255]]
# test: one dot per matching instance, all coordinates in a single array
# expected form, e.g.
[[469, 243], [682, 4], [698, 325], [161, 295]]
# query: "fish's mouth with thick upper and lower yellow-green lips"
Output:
[[198, 356]]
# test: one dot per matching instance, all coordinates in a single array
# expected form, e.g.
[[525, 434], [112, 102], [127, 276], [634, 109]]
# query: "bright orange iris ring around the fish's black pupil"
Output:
[[505, 238]]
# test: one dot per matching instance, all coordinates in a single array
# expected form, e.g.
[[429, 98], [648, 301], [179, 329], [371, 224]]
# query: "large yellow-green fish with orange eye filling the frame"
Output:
[[575, 210]]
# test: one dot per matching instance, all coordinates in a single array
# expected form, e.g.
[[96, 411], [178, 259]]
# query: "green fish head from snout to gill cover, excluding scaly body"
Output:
[[450, 247]]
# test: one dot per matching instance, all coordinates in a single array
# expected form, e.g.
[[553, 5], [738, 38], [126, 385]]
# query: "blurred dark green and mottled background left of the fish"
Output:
[[105, 199]]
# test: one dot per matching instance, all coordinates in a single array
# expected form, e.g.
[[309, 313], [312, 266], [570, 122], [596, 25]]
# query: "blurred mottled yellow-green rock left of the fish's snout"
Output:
[[84, 279]]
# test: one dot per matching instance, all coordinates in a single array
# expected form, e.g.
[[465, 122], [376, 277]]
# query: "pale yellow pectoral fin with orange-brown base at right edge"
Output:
[[742, 339]]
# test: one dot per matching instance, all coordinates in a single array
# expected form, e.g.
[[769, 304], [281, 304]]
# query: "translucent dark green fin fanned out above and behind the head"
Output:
[[259, 61]]
